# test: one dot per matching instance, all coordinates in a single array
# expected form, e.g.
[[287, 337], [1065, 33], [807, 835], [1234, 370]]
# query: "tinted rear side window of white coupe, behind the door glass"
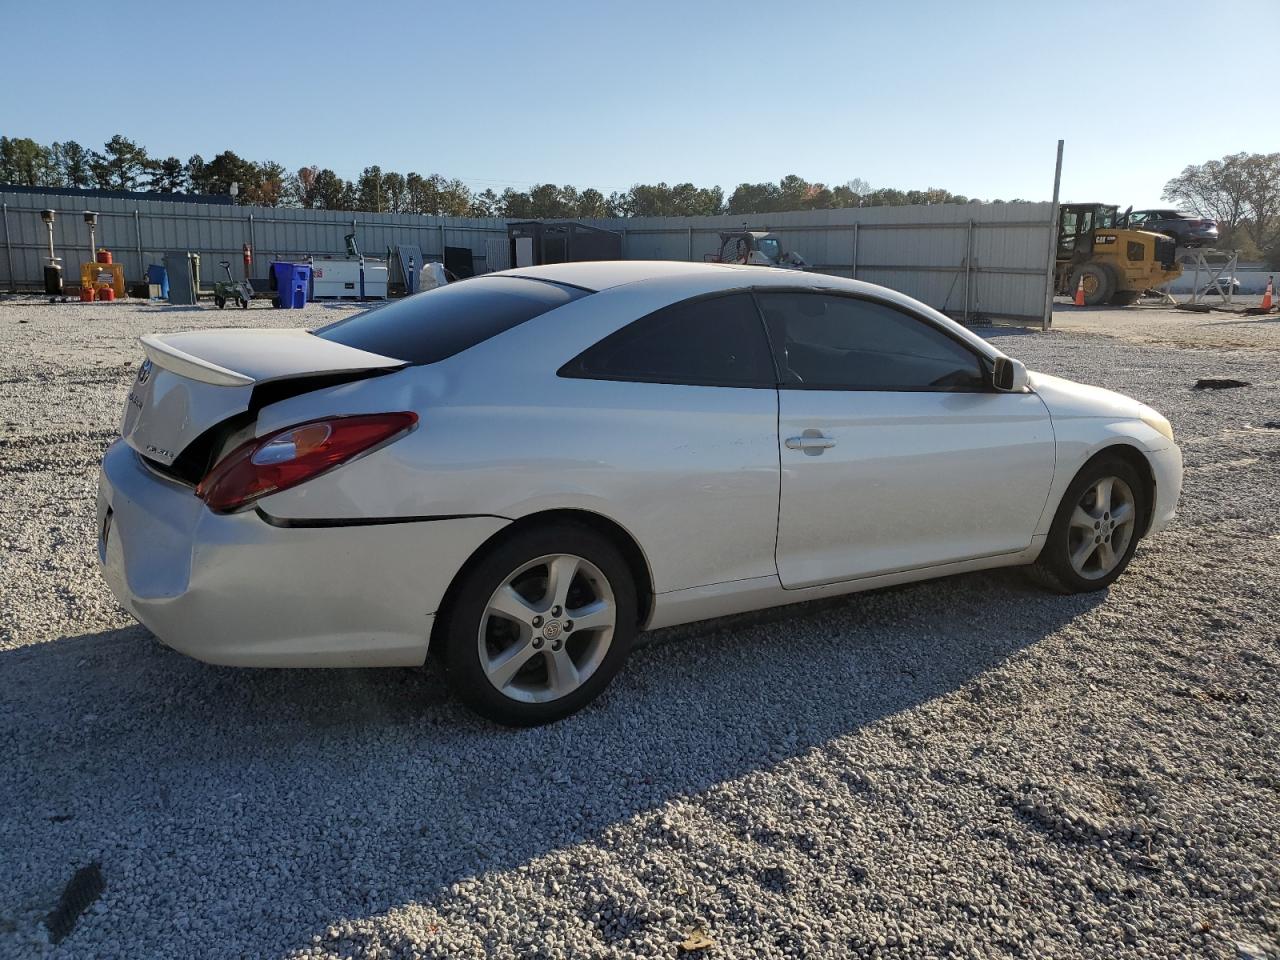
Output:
[[715, 342]]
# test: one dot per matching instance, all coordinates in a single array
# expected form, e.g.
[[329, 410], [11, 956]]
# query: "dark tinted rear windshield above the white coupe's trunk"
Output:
[[437, 324]]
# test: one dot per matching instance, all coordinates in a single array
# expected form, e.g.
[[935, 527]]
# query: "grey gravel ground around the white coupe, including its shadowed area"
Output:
[[961, 769]]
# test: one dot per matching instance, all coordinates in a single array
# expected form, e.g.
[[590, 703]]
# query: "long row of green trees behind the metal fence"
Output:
[[124, 164]]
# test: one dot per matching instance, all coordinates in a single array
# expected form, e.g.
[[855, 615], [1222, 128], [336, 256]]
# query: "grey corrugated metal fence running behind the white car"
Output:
[[976, 260]]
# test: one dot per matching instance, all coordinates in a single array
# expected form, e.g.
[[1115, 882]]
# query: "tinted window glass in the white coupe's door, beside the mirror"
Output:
[[843, 344]]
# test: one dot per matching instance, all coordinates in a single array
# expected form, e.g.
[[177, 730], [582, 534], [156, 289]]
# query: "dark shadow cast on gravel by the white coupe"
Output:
[[360, 792]]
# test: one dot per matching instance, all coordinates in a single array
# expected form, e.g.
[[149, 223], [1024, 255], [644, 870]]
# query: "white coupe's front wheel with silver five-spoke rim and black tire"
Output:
[[1096, 529]]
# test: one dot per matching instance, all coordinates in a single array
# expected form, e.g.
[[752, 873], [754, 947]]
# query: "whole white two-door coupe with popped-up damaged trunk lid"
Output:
[[523, 470]]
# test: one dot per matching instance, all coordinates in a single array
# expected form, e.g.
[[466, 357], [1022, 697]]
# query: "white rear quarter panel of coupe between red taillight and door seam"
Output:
[[692, 473]]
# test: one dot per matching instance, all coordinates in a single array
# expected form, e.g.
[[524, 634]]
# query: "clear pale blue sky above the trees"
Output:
[[970, 97]]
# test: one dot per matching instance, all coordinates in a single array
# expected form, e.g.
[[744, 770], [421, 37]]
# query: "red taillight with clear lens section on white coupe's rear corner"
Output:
[[295, 455]]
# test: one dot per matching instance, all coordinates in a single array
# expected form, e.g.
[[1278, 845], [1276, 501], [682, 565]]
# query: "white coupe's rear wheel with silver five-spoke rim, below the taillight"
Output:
[[541, 625]]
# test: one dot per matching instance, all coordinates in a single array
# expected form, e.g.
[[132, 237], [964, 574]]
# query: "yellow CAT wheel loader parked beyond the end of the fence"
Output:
[[1116, 263]]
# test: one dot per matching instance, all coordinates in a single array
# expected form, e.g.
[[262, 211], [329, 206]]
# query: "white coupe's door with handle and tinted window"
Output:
[[897, 454]]
